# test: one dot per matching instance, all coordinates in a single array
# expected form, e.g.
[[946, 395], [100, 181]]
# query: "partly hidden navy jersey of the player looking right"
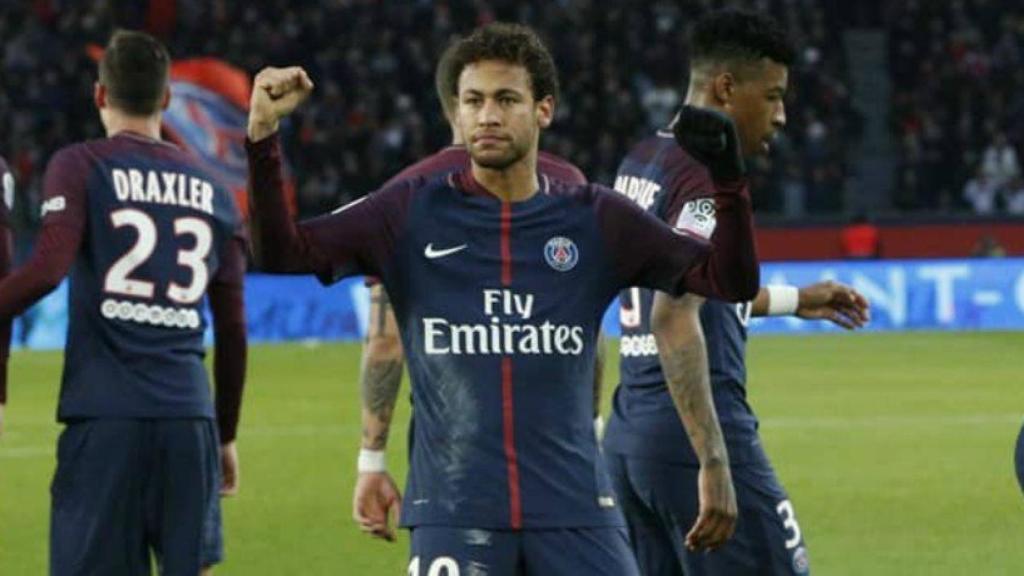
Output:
[[669, 184]]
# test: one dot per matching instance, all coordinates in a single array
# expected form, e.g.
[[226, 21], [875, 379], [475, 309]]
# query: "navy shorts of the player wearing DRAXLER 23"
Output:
[[124, 489]]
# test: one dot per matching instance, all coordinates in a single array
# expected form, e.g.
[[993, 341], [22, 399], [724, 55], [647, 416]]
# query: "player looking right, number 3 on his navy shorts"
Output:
[[665, 480]]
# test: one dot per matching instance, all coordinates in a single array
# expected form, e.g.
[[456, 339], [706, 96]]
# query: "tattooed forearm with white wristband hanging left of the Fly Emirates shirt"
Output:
[[377, 499]]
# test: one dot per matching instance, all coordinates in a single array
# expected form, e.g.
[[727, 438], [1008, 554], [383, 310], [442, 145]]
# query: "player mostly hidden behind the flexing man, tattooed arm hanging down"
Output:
[[376, 497]]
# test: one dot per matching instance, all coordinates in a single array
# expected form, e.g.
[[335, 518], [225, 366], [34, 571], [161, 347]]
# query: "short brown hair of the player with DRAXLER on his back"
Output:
[[135, 70]]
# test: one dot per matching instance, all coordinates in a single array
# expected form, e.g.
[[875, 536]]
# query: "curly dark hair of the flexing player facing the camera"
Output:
[[511, 44]]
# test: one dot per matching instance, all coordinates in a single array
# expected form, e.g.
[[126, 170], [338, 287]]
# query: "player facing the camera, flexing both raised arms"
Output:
[[499, 281]]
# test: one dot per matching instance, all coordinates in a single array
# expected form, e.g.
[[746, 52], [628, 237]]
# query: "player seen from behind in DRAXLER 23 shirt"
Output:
[[147, 234]]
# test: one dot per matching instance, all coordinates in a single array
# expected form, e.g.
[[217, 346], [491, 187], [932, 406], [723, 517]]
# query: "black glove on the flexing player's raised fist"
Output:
[[711, 137]]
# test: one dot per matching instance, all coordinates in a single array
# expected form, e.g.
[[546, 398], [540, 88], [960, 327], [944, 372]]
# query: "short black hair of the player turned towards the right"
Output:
[[736, 37]]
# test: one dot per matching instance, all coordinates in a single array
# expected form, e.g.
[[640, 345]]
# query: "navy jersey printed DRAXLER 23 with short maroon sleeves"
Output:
[[154, 228]]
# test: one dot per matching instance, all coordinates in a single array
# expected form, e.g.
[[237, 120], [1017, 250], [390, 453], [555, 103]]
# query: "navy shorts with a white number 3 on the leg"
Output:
[[660, 501]]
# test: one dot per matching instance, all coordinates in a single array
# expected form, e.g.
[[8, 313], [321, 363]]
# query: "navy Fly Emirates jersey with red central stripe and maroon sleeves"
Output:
[[499, 306]]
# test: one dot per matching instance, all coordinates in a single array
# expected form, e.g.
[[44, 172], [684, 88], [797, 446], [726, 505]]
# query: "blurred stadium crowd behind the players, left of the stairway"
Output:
[[622, 75]]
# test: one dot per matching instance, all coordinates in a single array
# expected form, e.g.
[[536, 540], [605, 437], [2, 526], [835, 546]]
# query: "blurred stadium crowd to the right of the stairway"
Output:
[[959, 104]]
